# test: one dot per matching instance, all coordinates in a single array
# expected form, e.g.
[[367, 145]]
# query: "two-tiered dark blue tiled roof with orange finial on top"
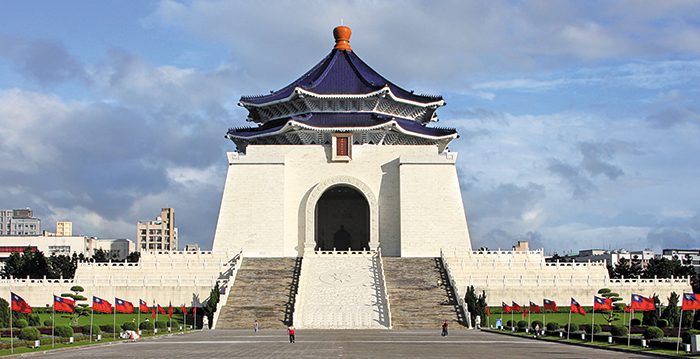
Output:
[[342, 94]]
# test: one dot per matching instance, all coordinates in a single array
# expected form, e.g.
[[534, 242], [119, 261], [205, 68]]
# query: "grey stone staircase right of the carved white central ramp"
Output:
[[415, 298]]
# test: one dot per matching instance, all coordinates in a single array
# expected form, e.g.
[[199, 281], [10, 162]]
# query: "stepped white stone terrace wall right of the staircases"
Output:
[[524, 276]]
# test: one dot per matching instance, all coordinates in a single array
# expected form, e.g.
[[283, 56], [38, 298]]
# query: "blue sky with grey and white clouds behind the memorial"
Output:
[[578, 120]]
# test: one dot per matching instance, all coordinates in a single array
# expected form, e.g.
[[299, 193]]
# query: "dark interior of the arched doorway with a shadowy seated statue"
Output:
[[342, 220]]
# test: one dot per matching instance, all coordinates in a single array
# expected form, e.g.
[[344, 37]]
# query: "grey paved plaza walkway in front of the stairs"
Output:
[[338, 343]]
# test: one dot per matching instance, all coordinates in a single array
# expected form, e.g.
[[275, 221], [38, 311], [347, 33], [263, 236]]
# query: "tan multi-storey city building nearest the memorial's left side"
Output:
[[158, 235]]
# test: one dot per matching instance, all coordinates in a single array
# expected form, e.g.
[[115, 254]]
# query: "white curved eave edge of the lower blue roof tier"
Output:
[[389, 125]]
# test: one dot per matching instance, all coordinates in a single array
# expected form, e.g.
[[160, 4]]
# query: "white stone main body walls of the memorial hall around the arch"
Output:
[[263, 208]]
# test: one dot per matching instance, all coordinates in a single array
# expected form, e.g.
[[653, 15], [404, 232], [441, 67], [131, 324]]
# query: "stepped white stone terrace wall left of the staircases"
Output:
[[167, 277]]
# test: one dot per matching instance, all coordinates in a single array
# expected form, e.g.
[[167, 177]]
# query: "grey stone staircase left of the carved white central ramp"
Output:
[[264, 290]]
